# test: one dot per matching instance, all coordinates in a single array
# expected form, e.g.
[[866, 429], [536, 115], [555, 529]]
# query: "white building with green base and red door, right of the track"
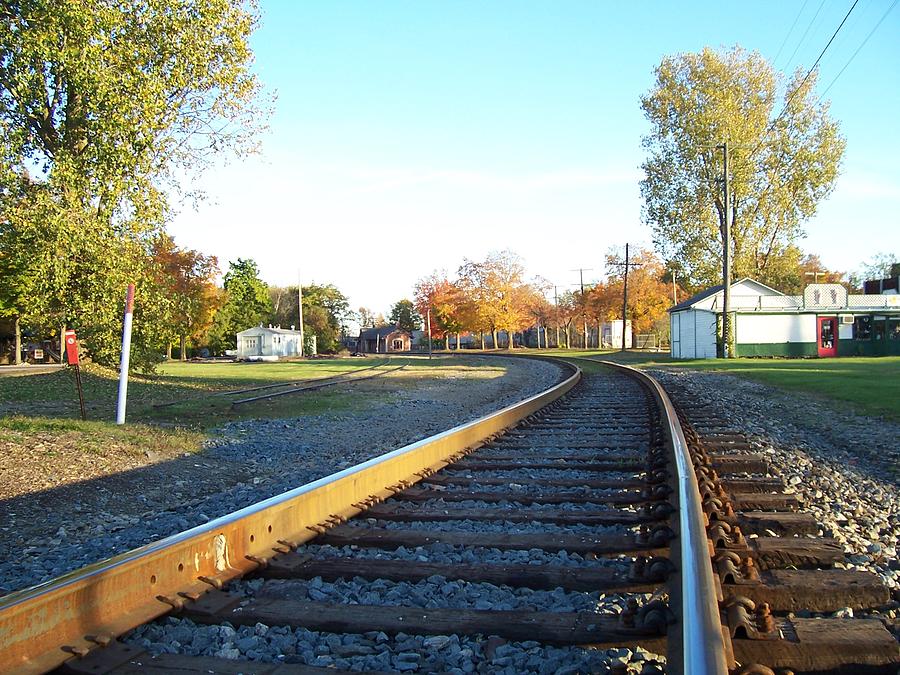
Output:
[[824, 321]]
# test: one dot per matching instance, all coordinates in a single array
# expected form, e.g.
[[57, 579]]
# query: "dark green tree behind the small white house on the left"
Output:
[[247, 304]]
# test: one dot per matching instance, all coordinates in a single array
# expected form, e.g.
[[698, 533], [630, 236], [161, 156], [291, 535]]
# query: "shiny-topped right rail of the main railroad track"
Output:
[[703, 646]]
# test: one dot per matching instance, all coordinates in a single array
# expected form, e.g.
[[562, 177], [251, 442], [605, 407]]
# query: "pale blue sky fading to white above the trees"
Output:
[[408, 135]]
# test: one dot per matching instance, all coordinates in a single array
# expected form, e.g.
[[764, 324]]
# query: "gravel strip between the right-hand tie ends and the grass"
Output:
[[846, 467]]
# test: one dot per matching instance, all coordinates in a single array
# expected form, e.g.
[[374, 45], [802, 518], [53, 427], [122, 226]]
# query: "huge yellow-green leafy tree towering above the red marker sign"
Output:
[[102, 105]]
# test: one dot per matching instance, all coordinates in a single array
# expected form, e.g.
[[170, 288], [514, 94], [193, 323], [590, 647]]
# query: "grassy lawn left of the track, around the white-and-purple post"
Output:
[[193, 397]]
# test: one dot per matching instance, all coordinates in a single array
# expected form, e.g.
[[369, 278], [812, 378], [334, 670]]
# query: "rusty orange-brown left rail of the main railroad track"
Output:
[[43, 626]]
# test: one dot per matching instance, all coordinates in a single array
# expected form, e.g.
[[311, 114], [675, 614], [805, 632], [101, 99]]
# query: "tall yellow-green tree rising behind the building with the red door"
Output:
[[785, 160]]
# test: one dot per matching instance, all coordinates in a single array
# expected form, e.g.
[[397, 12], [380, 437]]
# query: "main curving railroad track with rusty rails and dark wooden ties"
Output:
[[576, 541]]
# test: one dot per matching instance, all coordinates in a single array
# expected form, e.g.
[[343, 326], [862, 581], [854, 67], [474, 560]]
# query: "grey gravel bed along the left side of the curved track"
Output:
[[44, 534]]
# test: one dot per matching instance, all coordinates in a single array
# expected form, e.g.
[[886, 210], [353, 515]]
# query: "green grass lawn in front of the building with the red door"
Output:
[[868, 385]]
